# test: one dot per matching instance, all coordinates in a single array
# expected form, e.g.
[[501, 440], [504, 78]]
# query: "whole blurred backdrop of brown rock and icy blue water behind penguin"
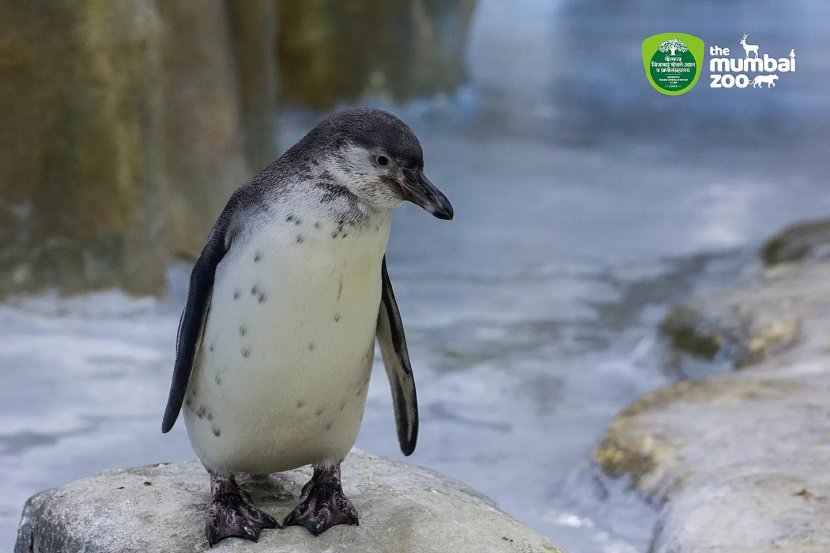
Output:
[[586, 204]]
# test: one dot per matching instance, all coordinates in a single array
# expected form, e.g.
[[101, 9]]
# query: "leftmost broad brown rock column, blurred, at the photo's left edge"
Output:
[[78, 178]]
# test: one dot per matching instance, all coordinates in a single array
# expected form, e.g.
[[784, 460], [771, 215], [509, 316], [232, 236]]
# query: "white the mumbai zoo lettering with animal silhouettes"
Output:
[[760, 71]]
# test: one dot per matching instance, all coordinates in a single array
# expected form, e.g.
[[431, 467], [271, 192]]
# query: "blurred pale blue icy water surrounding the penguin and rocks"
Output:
[[586, 204]]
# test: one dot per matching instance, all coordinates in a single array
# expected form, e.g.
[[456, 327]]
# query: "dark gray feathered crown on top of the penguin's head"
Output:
[[370, 128]]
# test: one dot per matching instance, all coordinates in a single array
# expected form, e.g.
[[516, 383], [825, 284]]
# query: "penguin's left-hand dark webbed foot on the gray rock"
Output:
[[232, 515]]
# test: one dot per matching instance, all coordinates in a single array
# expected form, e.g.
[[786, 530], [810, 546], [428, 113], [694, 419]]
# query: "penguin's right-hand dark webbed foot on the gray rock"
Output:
[[322, 504]]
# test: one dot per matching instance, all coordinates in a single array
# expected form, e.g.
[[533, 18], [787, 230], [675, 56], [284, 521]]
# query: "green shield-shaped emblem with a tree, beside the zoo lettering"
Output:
[[673, 62]]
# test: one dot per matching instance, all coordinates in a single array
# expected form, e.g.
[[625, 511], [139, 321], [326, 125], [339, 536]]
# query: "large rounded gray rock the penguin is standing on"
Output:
[[402, 508]]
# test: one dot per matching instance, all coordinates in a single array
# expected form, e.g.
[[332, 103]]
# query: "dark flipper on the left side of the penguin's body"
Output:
[[195, 313]]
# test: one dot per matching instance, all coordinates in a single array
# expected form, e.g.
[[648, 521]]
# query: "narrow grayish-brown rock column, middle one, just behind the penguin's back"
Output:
[[215, 83]]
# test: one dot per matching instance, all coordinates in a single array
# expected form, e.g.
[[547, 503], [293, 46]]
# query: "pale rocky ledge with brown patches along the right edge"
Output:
[[740, 462]]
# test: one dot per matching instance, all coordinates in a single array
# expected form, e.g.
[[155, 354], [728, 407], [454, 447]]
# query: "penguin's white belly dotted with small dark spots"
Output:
[[281, 375]]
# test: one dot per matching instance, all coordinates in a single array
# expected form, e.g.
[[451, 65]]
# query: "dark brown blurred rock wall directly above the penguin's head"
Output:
[[397, 50]]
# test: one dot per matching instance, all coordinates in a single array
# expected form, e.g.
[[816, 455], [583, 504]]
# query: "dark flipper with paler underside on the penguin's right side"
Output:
[[390, 336]]
